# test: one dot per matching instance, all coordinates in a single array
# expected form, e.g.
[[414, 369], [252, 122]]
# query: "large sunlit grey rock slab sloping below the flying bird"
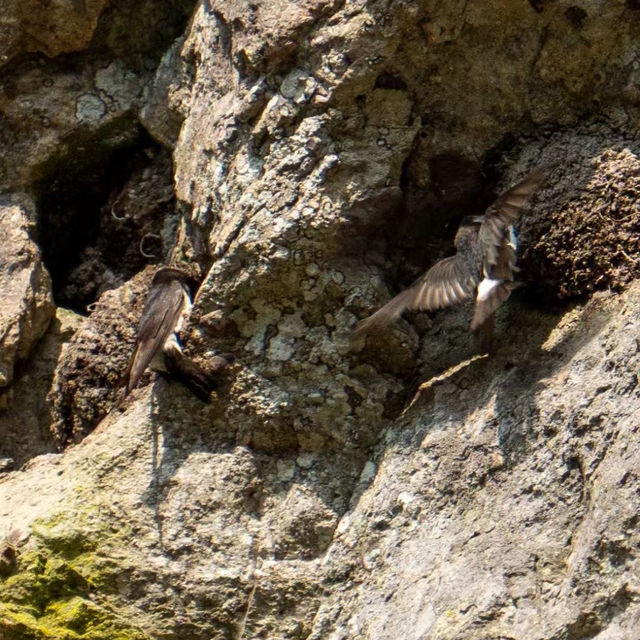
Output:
[[503, 501]]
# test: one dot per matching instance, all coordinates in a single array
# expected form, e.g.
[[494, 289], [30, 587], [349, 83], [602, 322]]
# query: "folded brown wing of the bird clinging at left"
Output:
[[161, 313]]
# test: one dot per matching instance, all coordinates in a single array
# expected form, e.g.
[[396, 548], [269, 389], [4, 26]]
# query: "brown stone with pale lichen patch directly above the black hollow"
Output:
[[57, 119]]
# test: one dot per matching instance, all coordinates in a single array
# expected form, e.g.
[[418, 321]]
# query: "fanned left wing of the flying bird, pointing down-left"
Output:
[[447, 283]]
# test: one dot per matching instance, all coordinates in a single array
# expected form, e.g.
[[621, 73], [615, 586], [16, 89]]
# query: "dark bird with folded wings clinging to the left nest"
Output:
[[166, 309]]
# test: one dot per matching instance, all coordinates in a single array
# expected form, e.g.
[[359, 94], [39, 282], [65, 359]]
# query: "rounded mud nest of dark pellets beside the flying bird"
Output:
[[583, 233]]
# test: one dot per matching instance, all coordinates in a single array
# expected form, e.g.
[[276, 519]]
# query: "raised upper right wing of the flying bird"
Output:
[[504, 212]]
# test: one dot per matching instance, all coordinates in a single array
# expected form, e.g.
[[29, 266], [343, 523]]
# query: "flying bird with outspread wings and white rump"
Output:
[[484, 265]]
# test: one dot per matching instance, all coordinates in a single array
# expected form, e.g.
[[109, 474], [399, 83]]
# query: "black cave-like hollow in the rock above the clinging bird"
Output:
[[77, 221]]
